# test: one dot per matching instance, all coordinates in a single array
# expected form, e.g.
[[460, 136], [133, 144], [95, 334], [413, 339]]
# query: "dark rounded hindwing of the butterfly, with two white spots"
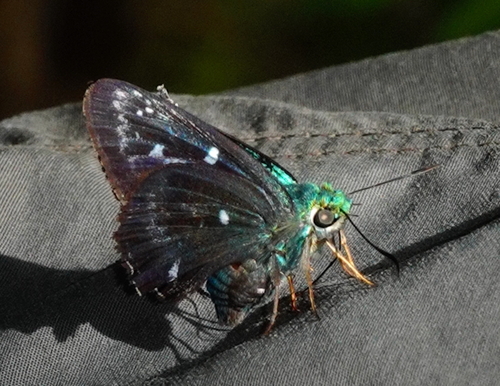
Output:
[[182, 224]]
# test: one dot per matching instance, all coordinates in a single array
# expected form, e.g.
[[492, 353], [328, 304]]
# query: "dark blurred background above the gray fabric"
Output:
[[50, 50]]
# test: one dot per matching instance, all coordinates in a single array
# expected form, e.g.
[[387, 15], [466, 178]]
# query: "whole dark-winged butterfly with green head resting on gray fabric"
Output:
[[201, 208]]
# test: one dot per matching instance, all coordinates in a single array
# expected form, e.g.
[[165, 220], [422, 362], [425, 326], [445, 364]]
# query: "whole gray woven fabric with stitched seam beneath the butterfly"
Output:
[[67, 319]]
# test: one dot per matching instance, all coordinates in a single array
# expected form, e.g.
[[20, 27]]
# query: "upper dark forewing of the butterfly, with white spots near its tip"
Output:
[[135, 132]]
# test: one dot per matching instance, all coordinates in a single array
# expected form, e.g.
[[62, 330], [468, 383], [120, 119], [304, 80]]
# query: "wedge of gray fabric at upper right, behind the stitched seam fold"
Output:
[[459, 78]]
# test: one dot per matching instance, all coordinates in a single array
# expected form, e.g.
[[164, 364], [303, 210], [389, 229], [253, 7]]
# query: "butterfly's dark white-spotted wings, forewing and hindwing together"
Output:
[[194, 199]]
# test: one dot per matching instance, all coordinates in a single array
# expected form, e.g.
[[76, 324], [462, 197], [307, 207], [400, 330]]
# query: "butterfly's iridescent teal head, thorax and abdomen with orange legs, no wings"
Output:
[[288, 253]]
